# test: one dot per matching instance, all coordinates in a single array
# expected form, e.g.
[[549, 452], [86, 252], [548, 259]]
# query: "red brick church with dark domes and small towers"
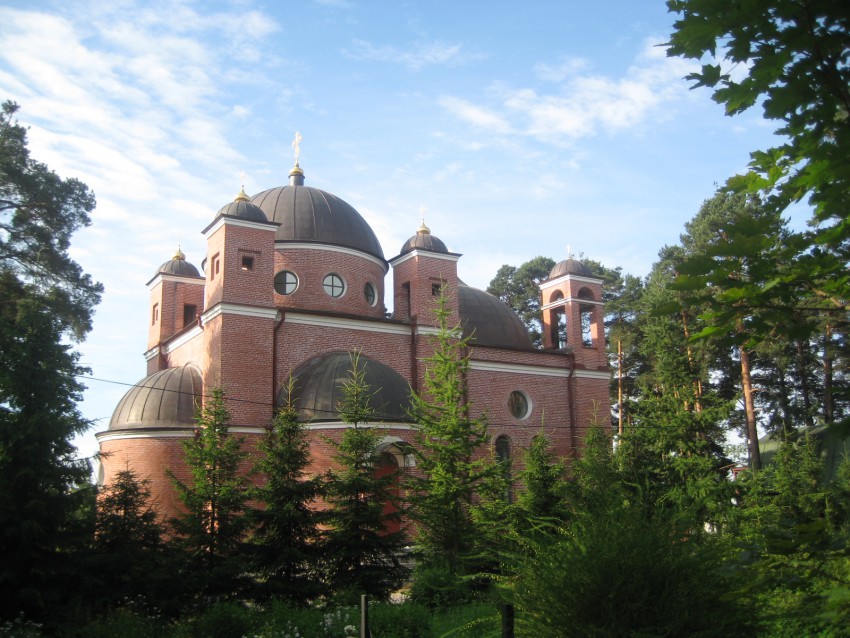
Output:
[[293, 280]]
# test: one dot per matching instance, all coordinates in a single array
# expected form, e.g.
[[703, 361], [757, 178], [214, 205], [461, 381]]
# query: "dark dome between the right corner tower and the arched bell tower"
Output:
[[489, 322]]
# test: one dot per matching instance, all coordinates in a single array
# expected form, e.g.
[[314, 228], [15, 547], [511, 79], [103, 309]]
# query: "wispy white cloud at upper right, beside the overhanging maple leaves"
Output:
[[585, 103]]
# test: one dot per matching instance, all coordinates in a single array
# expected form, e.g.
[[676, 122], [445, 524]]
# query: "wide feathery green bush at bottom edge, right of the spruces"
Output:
[[620, 568]]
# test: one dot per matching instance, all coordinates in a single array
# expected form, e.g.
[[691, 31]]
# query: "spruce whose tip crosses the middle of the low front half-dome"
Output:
[[362, 552]]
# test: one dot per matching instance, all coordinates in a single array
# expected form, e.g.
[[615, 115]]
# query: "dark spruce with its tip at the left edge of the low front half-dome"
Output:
[[286, 536]]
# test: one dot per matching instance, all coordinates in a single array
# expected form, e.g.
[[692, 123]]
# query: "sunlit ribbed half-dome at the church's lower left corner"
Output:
[[164, 399]]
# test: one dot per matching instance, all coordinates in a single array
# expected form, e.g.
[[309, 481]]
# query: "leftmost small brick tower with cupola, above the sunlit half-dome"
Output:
[[176, 301]]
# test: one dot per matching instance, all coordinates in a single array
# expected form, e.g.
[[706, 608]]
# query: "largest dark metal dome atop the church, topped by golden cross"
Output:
[[312, 215]]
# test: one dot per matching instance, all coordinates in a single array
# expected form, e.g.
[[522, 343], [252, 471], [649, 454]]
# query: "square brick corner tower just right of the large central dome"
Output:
[[424, 268]]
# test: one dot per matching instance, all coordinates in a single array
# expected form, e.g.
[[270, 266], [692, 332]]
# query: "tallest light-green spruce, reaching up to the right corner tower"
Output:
[[451, 458]]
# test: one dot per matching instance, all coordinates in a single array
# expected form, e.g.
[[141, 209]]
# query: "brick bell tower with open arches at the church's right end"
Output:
[[572, 313]]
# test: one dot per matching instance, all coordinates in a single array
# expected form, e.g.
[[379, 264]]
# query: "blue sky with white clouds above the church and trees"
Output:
[[522, 128]]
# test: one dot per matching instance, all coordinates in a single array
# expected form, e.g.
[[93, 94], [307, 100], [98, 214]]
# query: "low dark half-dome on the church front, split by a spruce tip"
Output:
[[319, 388]]
